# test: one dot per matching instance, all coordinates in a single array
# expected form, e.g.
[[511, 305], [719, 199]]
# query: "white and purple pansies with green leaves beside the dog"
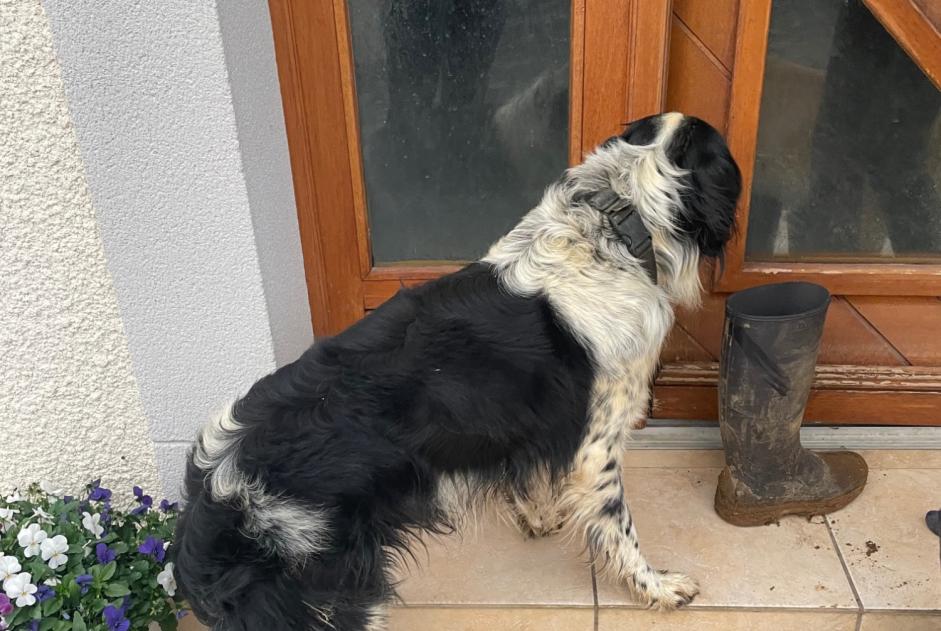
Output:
[[83, 564]]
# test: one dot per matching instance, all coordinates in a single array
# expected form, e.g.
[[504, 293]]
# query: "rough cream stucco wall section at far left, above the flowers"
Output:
[[69, 404]]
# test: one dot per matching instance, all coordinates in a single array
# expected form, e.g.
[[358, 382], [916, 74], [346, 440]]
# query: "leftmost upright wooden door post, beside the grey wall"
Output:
[[316, 120]]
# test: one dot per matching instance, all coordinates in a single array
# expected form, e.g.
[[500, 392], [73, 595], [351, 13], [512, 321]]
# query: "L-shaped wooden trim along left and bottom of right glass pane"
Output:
[[744, 111]]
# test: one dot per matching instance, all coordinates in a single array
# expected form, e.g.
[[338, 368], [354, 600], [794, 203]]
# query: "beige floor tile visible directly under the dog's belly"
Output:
[[495, 566]]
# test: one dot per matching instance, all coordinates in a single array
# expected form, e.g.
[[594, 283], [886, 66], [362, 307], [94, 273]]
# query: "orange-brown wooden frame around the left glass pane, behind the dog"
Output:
[[619, 58]]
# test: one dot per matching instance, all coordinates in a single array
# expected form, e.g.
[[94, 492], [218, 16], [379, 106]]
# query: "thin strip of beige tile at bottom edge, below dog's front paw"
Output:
[[726, 620]]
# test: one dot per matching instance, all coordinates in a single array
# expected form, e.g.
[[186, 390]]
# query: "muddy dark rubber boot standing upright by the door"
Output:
[[769, 350]]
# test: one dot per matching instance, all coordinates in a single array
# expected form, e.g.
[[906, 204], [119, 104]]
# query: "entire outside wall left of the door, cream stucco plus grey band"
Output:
[[150, 263]]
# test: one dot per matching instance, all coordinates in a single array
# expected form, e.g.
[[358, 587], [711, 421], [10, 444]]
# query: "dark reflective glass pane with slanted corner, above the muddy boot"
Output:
[[849, 156]]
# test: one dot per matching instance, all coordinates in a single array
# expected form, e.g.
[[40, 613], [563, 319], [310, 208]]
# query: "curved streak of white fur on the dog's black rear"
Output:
[[290, 529]]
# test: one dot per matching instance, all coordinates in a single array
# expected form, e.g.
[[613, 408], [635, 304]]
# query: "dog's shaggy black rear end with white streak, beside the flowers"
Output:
[[246, 559]]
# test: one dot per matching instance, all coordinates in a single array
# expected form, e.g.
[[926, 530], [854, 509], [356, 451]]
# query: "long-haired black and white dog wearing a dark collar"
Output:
[[517, 377]]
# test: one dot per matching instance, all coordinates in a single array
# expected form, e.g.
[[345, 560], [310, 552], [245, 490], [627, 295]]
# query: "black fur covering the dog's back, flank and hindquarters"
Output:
[[455, 376]]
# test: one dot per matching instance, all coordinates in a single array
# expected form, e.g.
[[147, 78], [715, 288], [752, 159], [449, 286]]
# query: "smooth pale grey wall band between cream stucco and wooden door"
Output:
[[201, 239]]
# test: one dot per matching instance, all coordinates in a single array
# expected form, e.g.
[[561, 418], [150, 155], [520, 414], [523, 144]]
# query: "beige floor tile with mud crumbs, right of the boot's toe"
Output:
[[892, 557]]
